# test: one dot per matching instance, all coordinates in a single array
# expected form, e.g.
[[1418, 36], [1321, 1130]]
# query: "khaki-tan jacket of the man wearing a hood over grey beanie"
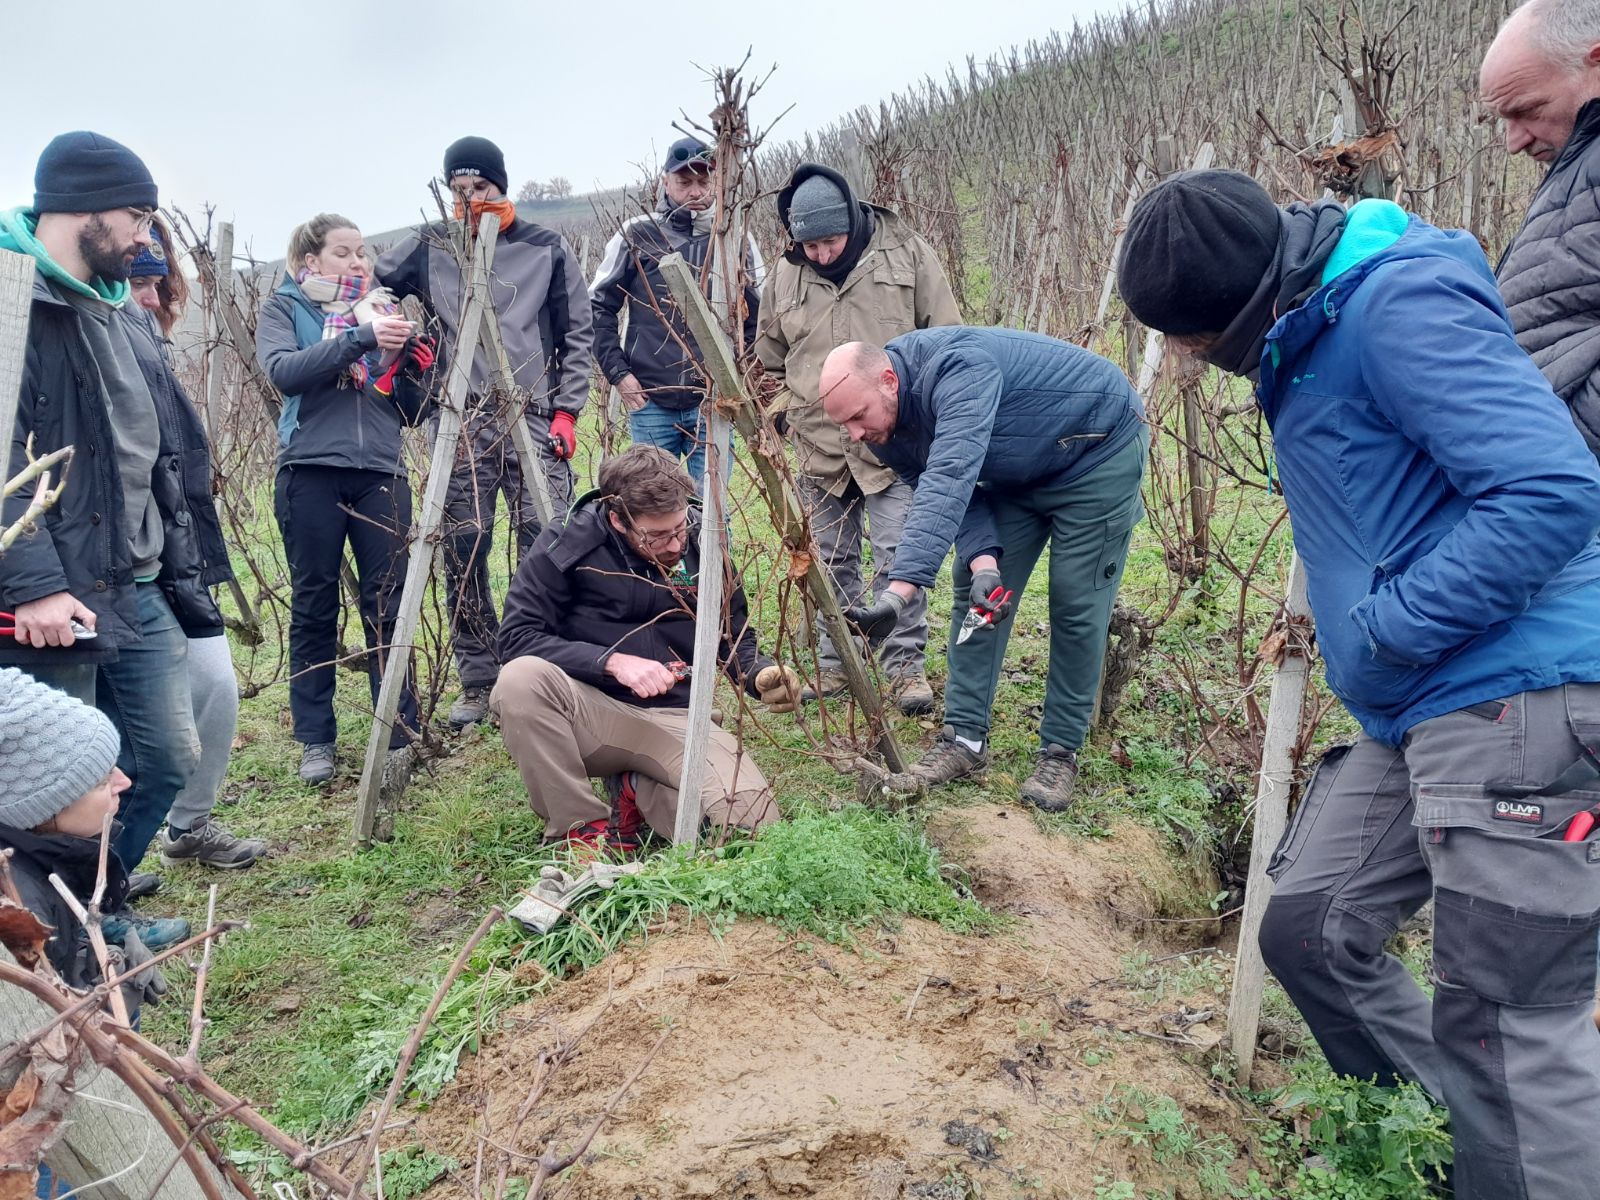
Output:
[[897, 287]]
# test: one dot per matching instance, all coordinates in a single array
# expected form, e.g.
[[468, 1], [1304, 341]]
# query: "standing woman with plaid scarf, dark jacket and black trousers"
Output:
[[353, 375]]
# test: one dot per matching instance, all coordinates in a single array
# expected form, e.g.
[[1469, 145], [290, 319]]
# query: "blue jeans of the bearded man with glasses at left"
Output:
[[146, 695]]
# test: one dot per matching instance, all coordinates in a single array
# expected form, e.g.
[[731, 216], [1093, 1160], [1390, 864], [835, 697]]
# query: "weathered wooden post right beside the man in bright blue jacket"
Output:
[[1273, 806]]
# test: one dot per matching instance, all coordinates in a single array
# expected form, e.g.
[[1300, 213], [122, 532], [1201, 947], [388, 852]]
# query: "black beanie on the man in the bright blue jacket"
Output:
[[1196, 250]]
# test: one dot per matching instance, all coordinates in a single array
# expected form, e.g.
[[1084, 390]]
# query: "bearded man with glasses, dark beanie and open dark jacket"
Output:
[[82, 580]]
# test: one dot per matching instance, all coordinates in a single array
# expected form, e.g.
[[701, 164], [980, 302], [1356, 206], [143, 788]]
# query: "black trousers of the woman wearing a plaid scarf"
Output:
[[319, 511]]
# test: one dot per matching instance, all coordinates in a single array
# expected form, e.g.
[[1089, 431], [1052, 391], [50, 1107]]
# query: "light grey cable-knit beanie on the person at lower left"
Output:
[[54, 750]]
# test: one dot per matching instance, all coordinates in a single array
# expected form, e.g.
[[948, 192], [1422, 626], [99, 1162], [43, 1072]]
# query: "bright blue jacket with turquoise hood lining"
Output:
[[1442, 500]]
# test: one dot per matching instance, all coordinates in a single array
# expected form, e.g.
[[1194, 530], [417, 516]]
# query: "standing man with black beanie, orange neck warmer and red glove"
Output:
[[538, 292]]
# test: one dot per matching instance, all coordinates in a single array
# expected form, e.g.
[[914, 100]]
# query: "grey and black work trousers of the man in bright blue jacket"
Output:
[[1463, 812]]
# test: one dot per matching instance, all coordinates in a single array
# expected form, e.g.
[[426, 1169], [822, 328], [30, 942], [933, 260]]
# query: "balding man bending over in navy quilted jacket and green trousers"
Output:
[[1009, 441]]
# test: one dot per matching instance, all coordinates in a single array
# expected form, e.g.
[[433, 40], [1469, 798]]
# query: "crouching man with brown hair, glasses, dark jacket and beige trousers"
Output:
[[599, 626]]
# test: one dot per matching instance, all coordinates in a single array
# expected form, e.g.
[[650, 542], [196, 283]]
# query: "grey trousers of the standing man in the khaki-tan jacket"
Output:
[[841, 524]]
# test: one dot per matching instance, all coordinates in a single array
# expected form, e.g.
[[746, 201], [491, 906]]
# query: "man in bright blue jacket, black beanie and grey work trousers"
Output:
[[1446, 511]]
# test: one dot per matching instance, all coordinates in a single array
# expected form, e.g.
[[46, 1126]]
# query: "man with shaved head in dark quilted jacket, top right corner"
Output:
[[1542, 78]]
